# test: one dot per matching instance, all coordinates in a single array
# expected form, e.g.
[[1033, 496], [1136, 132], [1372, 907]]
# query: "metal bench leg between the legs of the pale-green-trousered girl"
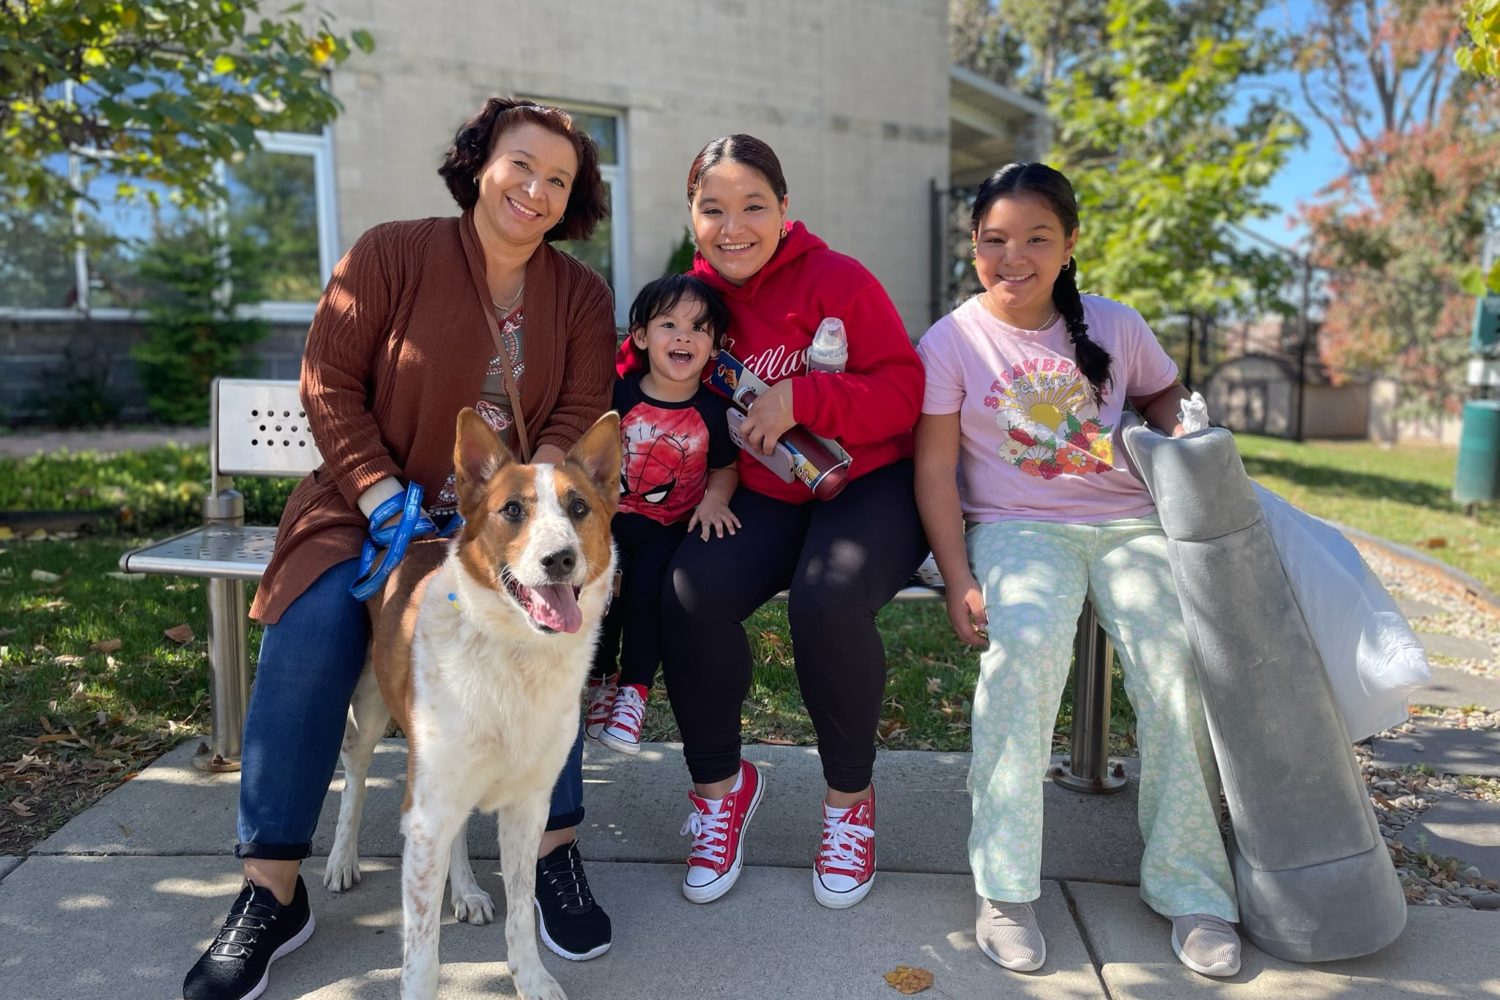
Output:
[[1090, 767]]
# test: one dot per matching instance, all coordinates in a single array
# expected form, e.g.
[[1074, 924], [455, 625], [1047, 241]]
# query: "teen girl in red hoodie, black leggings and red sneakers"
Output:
[[842, 558]]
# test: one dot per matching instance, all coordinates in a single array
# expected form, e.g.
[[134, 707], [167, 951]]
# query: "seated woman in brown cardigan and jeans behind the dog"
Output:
[[421, 320]]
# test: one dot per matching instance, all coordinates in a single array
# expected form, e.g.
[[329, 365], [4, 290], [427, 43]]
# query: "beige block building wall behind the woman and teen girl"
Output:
[[854, 95]]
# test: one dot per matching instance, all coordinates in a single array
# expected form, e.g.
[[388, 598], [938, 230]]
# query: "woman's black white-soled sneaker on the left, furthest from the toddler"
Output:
[[260, 930]]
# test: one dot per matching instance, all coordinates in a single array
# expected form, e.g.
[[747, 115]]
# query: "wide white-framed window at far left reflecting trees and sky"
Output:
[[280, 199]]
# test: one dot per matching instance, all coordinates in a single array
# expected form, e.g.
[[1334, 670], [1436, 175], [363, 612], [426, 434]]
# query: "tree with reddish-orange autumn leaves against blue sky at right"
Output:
[[1402, 229]]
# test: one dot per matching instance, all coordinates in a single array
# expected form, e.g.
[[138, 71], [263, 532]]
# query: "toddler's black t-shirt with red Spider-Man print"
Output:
[[670, 451]]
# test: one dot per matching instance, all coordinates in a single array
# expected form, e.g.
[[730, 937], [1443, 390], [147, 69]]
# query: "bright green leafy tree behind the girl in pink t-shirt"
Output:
[[1168, 157]]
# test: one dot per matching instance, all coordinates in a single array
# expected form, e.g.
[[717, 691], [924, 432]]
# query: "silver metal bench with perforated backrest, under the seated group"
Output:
[[260, 430]]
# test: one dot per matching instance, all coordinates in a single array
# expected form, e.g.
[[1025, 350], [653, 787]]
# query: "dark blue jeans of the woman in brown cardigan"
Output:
[[310, 663]]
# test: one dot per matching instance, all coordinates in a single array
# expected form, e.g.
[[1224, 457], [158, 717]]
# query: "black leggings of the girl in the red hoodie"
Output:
[[842, 561]]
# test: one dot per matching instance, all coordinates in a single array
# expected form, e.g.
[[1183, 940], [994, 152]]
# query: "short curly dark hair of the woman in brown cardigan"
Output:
[[589, 200]]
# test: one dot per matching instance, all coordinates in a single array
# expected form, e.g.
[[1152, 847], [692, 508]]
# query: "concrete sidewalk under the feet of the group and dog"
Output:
[[122, 900]]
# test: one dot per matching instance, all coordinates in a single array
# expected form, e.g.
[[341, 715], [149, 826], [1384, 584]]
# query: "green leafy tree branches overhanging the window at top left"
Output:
[[154, 92]]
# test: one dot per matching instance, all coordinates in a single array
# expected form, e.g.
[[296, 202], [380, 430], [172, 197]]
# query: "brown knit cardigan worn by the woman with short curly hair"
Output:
[[397, 349]]
